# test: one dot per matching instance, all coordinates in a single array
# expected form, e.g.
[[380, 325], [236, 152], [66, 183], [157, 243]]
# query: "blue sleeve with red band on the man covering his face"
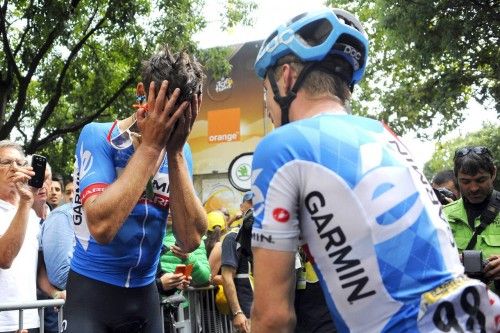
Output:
[[94, 156]]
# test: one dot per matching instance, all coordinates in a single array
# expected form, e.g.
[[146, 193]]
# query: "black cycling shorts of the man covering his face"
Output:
[[96, 307]]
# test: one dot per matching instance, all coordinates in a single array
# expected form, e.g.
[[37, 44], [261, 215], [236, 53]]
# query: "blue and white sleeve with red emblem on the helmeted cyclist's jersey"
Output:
[[276, 184]]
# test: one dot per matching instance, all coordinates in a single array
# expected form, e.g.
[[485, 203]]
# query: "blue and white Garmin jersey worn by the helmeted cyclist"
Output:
[[347, 188]]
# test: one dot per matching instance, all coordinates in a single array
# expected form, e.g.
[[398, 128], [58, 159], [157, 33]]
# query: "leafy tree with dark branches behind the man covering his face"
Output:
[[64, 64]]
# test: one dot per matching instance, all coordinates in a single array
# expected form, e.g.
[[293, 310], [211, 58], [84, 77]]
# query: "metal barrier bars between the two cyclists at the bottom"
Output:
[[201, 314]]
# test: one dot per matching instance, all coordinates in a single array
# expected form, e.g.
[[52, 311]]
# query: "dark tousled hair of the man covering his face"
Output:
[[180, 69]]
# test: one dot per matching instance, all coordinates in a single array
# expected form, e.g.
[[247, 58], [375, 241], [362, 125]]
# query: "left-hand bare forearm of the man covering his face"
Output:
[[107, 211]]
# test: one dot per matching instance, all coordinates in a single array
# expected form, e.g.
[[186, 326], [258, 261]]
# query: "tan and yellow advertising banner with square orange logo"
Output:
[[232, 119]]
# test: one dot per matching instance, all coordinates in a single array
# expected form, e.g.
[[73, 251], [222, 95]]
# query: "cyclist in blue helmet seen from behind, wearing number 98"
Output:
[[347, 190]]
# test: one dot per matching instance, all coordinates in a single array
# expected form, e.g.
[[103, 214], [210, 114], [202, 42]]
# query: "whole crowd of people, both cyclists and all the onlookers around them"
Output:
[[340, 231]]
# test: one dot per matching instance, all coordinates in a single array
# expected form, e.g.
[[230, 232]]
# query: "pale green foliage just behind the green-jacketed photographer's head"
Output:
[[488, 136]]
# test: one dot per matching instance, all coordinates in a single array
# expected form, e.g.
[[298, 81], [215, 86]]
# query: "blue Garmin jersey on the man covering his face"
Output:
[[131, 258]]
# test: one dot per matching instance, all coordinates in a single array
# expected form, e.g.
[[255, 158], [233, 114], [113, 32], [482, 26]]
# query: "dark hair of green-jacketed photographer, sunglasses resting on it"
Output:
[[472, 163]]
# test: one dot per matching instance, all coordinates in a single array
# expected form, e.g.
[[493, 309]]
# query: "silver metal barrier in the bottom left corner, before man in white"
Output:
[[40, 305]]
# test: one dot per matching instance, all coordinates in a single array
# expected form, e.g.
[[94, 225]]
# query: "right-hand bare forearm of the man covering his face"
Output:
[[188, 214]]
